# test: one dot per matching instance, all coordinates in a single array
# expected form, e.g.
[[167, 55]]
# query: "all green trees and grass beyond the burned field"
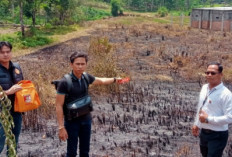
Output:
[[48, 18]]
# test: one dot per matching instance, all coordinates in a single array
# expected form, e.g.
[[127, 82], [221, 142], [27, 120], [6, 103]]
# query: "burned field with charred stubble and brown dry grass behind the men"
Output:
[[150, 116]]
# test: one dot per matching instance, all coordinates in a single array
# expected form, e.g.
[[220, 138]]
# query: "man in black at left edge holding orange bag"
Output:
[[10, 75]]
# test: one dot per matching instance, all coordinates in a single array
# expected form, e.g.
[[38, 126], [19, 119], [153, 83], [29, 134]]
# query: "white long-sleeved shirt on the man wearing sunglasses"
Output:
[[218, 106]]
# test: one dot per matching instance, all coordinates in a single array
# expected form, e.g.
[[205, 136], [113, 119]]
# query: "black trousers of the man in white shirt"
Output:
[[212, 143]]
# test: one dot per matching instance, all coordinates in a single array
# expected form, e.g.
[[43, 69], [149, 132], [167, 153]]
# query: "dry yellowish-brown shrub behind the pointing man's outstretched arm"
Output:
[[103, 62]]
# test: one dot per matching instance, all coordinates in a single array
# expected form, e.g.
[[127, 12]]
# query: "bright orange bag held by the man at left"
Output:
[[26, 99]]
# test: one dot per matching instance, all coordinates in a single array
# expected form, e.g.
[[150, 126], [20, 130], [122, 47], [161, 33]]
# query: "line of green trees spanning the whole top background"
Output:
[[60, 12]]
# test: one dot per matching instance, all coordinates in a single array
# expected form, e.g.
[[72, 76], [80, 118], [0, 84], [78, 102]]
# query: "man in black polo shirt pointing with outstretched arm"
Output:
[[77, 128]]
